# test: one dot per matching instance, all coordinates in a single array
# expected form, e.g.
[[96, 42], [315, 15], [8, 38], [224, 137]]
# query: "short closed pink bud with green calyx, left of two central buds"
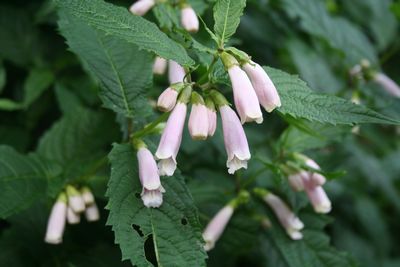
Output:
[[198, 119]]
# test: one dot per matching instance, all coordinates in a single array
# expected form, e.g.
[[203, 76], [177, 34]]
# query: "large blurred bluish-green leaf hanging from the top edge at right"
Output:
[[337, 31]]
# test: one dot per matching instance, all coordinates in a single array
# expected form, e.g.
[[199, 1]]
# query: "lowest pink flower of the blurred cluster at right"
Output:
[[317, 196]]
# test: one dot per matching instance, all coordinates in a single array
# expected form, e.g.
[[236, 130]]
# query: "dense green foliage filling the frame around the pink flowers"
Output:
[[78, 98]]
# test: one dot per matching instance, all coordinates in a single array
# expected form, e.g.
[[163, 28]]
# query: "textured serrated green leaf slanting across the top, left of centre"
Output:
[[118, 22]]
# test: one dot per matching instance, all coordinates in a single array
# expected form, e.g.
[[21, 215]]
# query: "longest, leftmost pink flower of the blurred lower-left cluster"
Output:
[[56, 221]]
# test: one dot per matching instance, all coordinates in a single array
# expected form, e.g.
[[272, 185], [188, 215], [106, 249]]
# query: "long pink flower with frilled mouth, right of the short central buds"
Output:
[[235, 140]]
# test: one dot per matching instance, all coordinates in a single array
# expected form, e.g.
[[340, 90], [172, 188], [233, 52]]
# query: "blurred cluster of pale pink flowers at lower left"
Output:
[[68, 207]]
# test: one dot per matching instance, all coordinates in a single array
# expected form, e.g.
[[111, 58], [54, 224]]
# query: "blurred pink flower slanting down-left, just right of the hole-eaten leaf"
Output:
[[216, 227]]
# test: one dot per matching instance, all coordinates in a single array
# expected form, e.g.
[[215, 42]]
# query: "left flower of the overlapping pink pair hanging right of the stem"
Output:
[[246, 101]]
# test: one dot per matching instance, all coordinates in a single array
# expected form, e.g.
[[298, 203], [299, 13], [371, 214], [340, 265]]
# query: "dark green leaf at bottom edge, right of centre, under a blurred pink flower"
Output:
[[313, 250]]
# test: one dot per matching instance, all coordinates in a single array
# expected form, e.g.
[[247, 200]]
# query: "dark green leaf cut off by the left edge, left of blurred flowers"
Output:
[[23, 180]]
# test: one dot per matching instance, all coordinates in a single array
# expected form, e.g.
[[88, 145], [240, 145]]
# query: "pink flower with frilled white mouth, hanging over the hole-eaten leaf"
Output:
[[149, 178]]
